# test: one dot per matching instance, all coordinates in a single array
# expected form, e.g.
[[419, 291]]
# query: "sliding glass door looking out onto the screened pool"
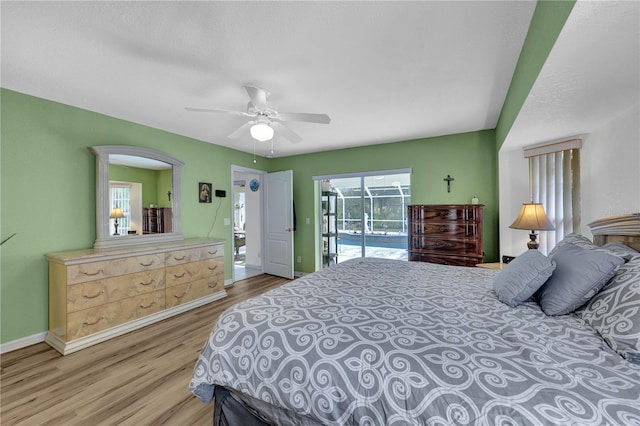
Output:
[[370, 215]]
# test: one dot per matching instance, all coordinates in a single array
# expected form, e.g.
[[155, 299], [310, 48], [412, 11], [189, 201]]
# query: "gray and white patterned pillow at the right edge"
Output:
[[615, 311]]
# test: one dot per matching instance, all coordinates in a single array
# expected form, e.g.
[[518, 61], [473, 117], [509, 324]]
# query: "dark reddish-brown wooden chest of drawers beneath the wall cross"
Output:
[[449, 234]]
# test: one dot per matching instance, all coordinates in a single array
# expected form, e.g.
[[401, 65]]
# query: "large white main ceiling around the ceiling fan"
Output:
[[383, 71]]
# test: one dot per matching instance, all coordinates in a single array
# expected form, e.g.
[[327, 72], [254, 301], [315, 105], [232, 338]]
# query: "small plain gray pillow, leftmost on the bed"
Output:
[[522, 277]]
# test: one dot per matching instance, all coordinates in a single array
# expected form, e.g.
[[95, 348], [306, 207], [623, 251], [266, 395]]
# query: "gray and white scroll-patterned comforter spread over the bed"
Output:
[[376, 341]]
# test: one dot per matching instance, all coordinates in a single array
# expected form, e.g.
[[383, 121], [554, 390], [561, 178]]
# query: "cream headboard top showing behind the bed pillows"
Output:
[[623, 229]]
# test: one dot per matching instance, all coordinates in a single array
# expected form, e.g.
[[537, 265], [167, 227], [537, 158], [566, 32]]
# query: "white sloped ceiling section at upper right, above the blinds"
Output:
[[591, 76]]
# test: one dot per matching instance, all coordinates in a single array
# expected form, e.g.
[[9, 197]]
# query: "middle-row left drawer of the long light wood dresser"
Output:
[[94, 293]]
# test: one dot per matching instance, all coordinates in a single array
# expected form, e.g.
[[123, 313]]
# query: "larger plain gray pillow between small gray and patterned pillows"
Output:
[[580, 273]]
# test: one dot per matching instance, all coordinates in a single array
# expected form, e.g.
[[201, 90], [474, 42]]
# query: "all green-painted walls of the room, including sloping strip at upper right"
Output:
[[47, 177]]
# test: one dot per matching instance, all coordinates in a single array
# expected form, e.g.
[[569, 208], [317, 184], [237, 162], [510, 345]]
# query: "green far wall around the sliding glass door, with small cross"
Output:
[[469, 158]]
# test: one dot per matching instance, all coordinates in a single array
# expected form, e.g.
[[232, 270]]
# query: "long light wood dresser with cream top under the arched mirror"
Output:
[[95, 295]]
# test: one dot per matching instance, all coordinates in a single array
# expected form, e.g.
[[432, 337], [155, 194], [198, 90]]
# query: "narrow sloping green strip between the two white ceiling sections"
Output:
[[547, 22]]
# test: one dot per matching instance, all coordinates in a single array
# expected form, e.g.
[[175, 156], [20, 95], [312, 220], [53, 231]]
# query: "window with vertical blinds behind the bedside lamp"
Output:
[[554, 180]]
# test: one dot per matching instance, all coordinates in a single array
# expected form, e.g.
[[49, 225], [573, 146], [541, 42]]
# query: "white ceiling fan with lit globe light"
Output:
[[264, 118]]
